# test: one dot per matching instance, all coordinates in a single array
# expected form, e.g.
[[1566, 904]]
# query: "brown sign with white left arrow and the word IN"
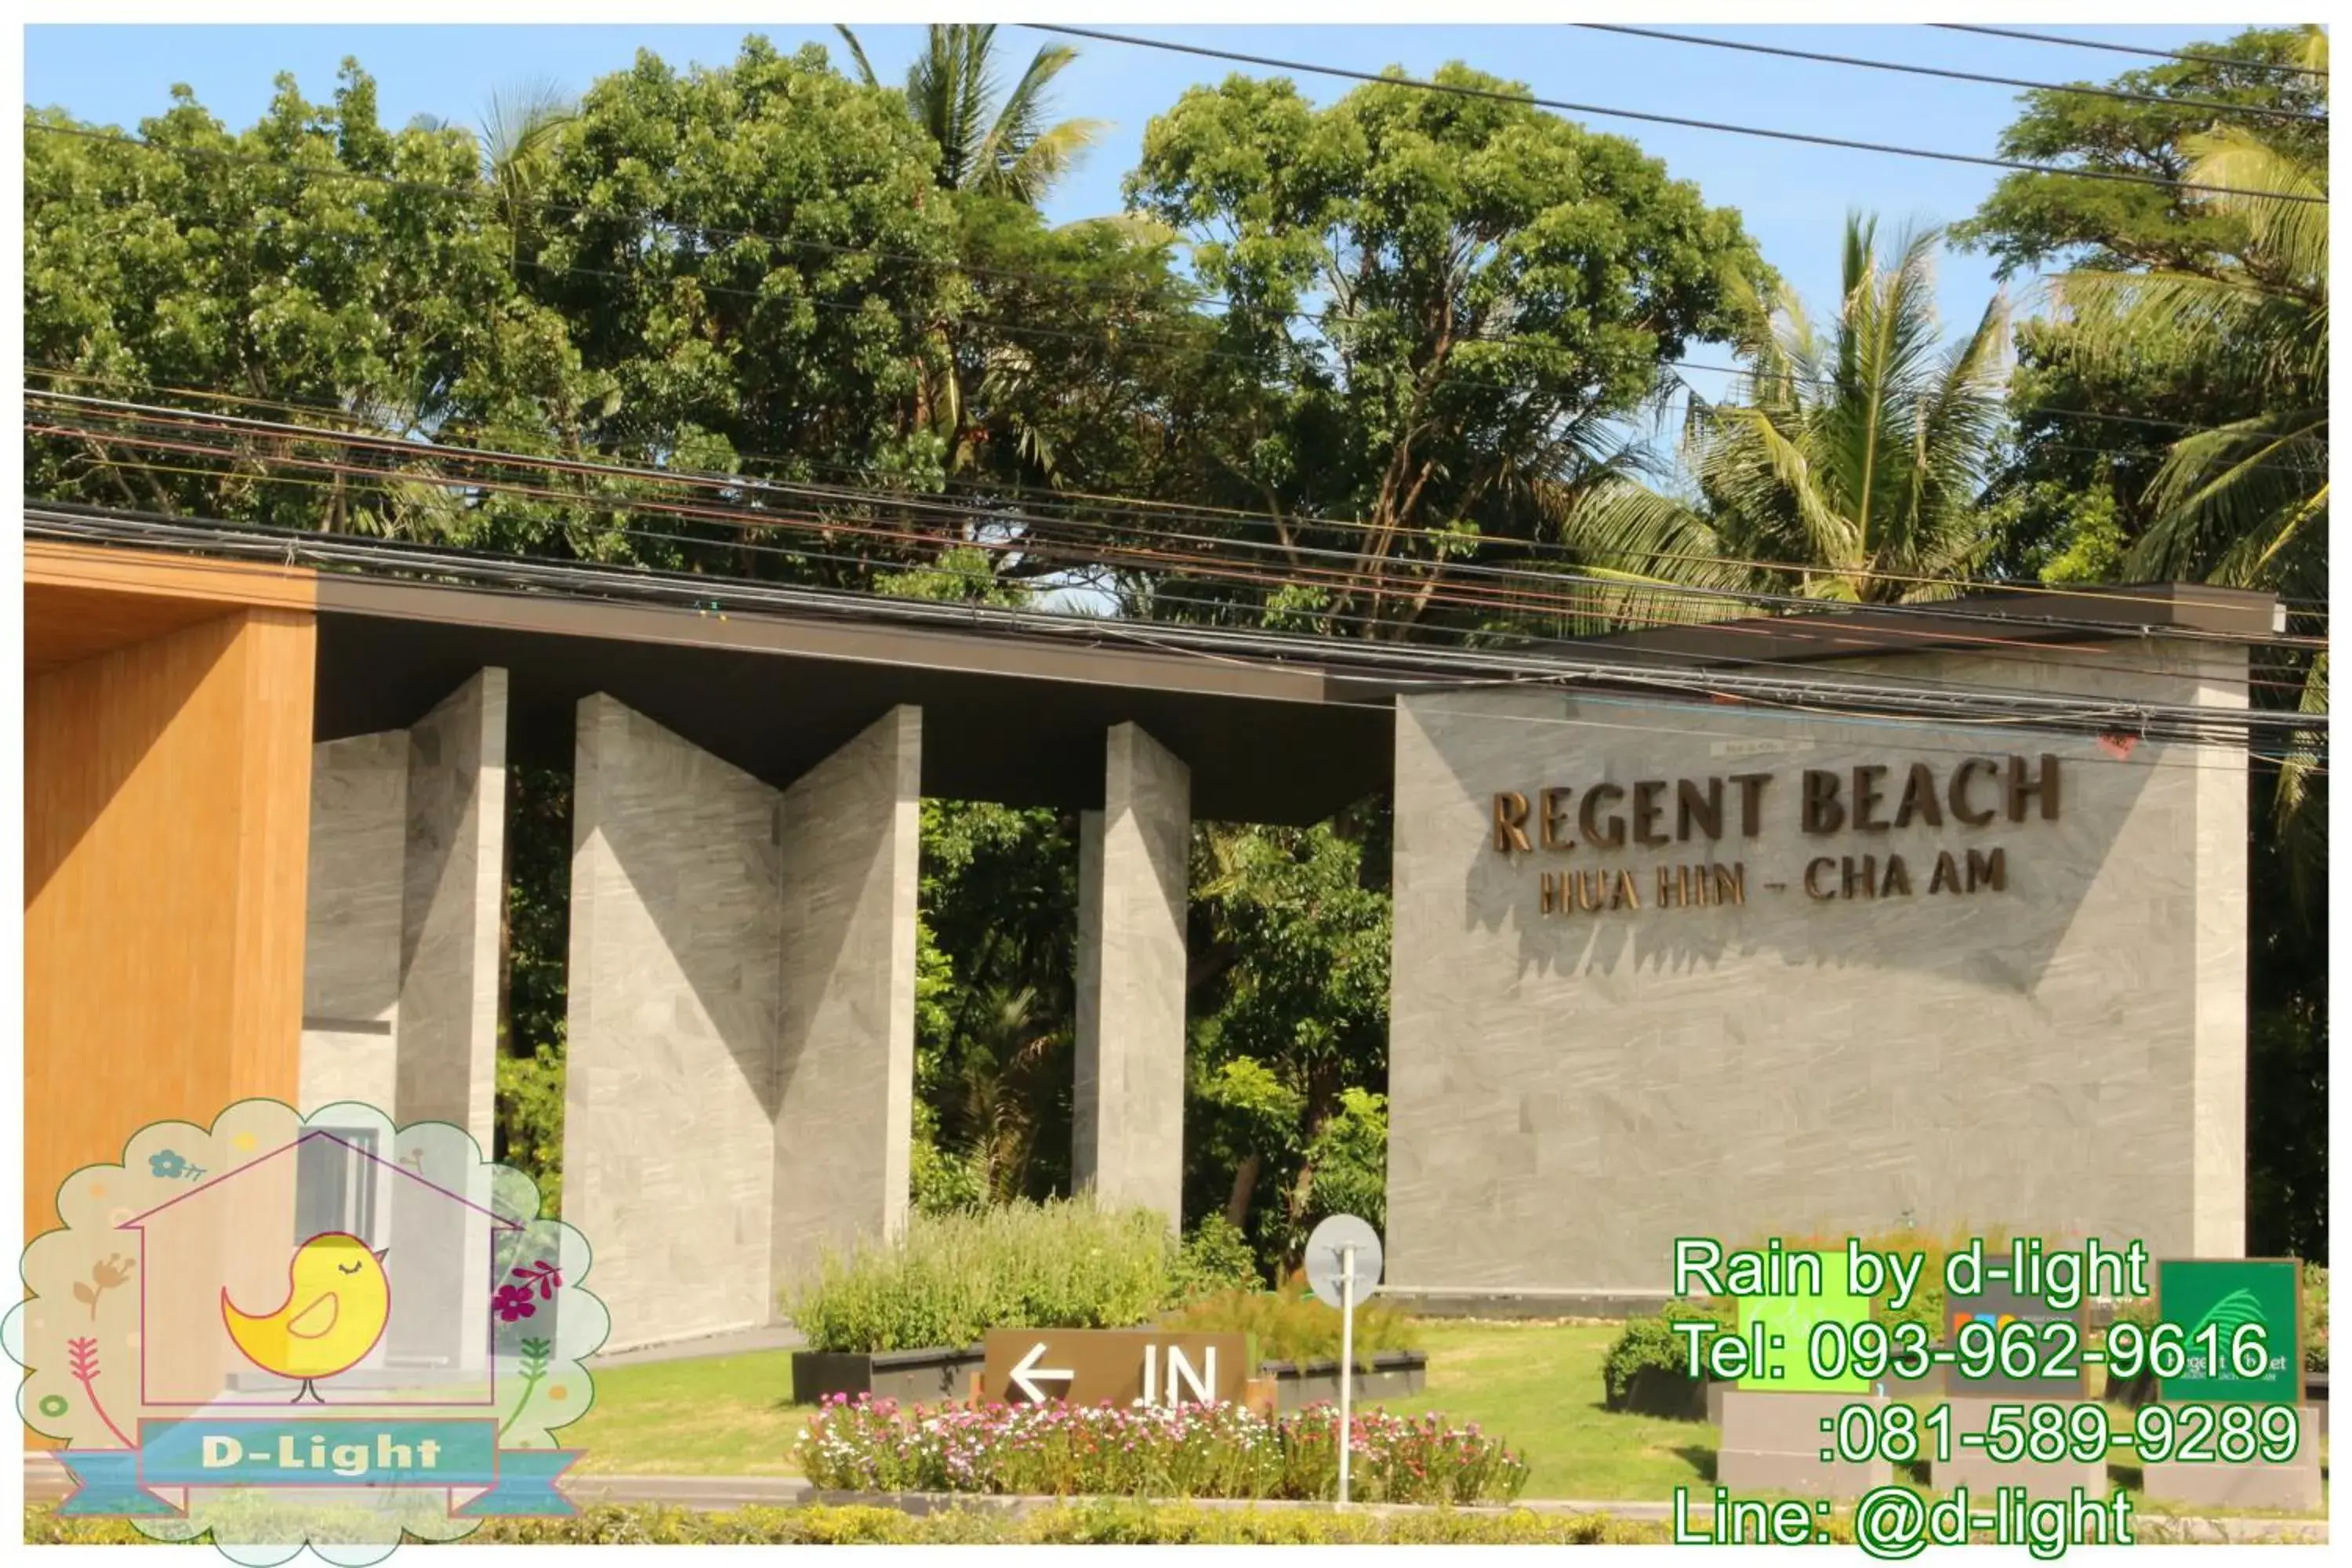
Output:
[[1114, 1365]]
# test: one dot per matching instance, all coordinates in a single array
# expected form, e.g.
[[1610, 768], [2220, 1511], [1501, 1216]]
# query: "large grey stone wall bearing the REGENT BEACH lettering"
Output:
[[1765, 1031]]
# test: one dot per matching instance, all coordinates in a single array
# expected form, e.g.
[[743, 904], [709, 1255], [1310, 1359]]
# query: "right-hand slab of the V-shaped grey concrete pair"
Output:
[[846, 1043]]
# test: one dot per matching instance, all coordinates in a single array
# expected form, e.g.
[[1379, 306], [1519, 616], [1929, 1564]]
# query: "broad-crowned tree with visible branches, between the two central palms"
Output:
[[1438, 316]]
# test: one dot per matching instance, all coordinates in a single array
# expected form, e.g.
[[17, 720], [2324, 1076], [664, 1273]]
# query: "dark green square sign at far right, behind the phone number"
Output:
[[2240, 1329]]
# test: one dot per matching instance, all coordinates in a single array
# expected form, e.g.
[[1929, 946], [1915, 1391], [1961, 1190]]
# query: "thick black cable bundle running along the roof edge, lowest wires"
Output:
[[2106, 718]]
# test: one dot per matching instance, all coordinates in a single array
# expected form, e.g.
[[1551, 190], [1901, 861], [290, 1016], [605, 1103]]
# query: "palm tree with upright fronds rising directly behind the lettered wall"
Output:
[[1857, 457]]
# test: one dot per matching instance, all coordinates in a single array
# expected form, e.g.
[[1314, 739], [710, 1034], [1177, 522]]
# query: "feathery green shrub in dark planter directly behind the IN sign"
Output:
[[958, 1275]]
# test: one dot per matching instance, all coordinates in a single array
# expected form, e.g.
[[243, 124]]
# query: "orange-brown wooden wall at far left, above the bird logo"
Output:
[[166, 845]]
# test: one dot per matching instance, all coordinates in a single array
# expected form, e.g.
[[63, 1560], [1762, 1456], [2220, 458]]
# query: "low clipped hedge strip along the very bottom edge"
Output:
[[1100, 1522]]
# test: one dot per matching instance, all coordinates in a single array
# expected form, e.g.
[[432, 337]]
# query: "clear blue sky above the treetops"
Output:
[[1791, 196]]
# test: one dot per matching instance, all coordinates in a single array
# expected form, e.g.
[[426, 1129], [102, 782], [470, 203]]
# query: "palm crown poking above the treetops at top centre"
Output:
[[989, 142]]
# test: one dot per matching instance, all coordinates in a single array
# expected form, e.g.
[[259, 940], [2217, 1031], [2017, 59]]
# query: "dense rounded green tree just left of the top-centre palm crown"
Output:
[[759, 260]]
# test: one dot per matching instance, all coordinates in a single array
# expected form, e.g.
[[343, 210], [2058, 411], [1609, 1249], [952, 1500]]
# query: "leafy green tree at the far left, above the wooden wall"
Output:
[[319, 264]]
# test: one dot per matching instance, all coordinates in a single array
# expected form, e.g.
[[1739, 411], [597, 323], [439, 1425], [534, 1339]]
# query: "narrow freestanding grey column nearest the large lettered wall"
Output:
[[1132, 862]]
